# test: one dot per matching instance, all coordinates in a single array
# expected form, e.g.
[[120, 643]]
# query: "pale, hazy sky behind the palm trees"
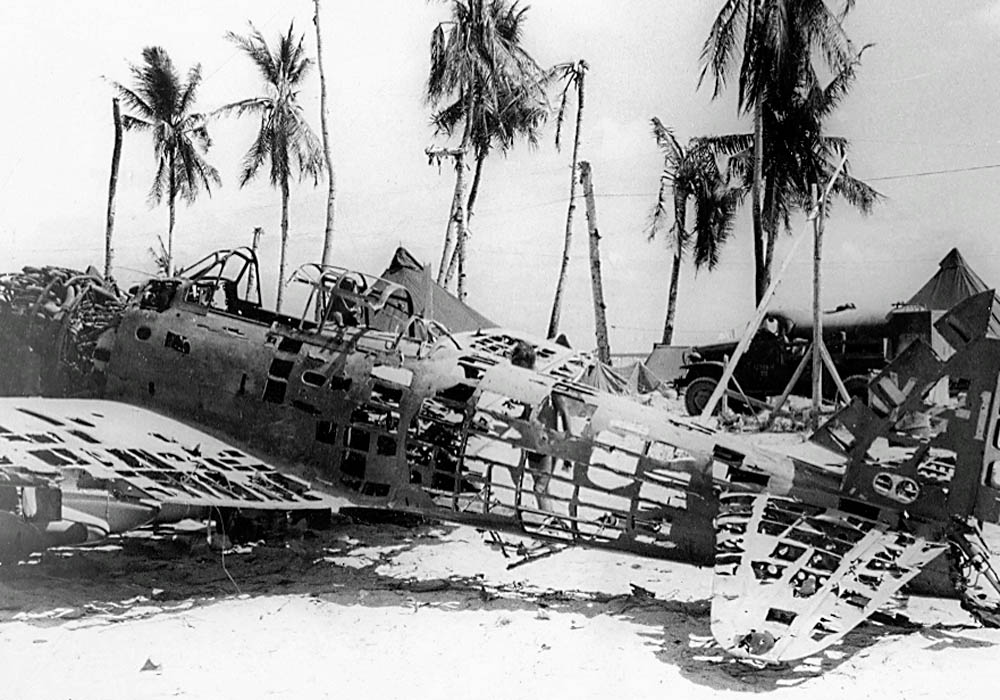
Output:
[[924, 102]]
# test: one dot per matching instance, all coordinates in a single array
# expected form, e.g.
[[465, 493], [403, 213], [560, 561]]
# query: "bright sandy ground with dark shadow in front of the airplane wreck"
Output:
[[431, 611]]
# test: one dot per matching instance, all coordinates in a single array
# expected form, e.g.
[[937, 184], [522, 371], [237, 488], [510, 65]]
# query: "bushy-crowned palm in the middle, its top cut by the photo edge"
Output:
[[478, 67]]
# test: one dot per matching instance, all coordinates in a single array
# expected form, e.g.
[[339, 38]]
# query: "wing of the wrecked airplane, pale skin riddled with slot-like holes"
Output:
[[122, 467]]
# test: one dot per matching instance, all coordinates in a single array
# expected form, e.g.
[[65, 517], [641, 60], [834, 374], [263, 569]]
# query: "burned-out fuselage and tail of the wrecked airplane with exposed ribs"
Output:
[[362, 396]]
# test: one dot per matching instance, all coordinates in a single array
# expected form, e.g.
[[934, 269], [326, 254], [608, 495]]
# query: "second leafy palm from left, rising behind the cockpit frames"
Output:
[[284, 136]]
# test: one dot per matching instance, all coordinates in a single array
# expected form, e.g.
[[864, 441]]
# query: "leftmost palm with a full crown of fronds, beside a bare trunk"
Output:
[[162, 103]]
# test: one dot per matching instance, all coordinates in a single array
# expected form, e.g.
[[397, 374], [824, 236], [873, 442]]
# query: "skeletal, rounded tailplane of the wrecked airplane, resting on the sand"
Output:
[[791, 579]]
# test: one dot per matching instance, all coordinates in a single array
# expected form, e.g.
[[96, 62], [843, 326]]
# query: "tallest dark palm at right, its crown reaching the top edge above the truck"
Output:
[[773, 39]]
